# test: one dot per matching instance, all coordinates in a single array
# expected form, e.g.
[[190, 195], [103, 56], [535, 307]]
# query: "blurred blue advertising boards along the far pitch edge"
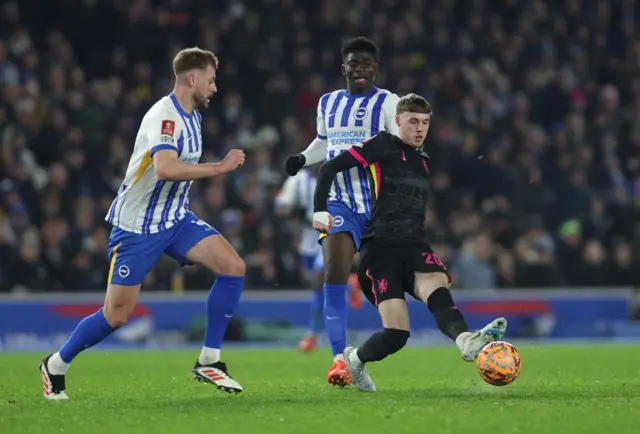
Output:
[[42, 322]]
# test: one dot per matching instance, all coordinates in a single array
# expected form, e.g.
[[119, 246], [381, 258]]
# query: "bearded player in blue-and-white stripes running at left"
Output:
[[150, 216]]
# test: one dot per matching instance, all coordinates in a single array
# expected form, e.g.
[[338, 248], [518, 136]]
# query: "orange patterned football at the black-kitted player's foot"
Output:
[[499, 363]]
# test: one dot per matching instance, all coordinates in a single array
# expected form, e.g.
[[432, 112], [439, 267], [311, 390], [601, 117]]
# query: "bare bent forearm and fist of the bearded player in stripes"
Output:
[[169, 168]]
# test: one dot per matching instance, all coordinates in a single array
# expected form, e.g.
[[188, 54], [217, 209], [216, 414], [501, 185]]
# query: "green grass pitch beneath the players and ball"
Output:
[[561, 389]]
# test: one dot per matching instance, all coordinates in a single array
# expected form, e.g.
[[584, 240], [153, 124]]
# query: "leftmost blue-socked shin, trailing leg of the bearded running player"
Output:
[[89, 332]]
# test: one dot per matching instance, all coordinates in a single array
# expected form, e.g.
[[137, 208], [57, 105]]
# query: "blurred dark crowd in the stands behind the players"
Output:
[[535, 138]]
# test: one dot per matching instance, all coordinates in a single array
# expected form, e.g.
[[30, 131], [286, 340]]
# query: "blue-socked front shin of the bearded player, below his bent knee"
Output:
[[221, 305]]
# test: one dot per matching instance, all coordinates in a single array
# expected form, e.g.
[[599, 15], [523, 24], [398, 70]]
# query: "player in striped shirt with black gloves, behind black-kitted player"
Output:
[[347, 117]]
